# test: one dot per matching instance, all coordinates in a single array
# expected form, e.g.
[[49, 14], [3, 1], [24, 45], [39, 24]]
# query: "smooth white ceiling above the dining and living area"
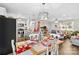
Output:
[[56, 10]]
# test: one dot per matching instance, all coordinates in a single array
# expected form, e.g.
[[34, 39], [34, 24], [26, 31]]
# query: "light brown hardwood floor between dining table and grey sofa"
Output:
[[67, 49]]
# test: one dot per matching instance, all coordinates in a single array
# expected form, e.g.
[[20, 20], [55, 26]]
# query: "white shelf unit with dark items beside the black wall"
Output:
[[21, 27]]
